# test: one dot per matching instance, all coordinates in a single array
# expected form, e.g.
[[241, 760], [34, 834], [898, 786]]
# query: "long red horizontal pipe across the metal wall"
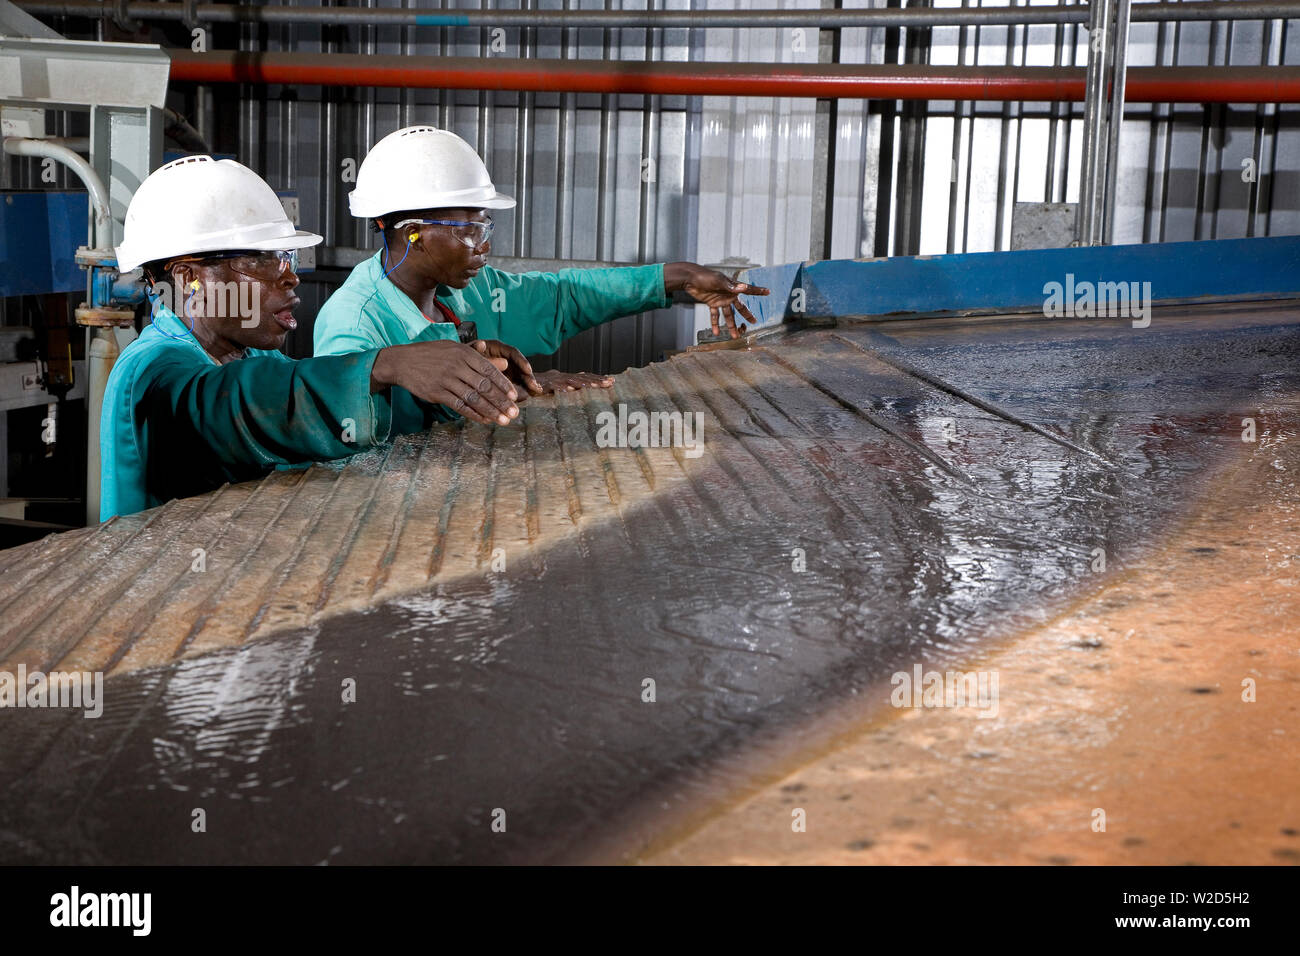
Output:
[[1015, 84]]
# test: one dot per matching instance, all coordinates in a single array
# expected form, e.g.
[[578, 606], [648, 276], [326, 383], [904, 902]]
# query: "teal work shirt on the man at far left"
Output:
[[177, 423]]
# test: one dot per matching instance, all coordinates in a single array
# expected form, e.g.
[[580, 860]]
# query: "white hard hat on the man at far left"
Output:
[[201, 205]]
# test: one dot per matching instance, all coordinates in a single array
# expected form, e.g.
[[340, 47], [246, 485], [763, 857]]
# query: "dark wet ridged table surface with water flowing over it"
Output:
[[870, 498]]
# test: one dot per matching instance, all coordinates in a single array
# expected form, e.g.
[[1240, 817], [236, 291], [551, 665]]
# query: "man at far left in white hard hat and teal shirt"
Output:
[[205, 397]]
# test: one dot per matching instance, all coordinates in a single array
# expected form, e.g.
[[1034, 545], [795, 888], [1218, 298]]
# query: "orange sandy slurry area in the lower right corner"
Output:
[[1132, 704]]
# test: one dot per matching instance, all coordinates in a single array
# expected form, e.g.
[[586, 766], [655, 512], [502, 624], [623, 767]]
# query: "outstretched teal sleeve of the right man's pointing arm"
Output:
[[544, 309]]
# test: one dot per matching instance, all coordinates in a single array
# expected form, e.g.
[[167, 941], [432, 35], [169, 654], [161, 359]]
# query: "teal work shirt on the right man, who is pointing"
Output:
[[534, 312]]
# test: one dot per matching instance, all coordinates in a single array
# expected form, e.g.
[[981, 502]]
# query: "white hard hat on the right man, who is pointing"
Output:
[[423, 168]]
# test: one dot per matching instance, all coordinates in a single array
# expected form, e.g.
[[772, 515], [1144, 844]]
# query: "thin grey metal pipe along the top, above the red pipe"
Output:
[[829, 19]]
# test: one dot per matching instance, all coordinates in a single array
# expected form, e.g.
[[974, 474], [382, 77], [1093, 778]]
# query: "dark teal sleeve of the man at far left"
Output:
[[275, 412]]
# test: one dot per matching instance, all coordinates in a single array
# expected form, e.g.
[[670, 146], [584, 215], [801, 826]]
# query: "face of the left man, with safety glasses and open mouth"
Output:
[[261, 317]]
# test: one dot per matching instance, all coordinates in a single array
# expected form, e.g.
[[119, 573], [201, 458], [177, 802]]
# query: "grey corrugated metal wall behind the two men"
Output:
[[655, 179]]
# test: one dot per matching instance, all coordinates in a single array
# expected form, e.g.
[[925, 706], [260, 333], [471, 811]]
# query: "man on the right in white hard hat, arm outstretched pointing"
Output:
[[431, 198]]
